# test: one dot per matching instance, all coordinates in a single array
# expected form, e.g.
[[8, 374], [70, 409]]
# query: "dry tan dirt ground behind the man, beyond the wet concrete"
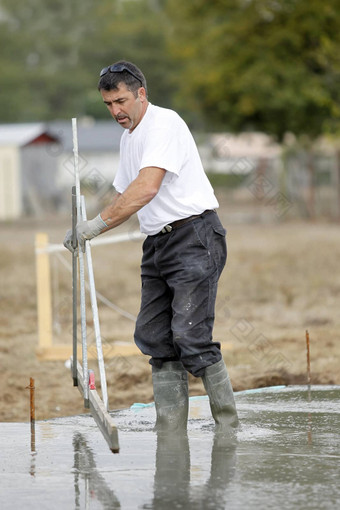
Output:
[[282, 278]]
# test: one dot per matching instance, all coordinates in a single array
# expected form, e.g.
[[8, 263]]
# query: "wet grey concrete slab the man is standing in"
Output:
[[287, 456]]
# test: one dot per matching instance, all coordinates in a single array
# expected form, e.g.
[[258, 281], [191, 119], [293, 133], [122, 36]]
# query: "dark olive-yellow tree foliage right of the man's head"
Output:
[[270, 65]]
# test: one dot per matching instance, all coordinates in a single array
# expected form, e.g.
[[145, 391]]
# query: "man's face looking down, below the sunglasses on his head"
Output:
[[124, 107]]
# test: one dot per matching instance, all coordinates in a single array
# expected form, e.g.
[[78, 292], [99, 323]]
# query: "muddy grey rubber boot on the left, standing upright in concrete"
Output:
[[170, 388]]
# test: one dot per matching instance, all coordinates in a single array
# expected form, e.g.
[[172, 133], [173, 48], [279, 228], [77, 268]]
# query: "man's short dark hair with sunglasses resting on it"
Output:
[[111, 80]]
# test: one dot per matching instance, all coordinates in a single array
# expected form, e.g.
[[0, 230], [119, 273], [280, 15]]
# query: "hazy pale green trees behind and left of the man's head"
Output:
[[52, 51]]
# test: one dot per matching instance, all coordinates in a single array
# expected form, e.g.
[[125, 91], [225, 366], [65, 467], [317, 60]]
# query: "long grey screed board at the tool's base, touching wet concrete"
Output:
[[100, 415]]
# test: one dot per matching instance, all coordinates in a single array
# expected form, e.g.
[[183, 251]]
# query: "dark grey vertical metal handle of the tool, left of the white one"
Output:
[[74, 286]]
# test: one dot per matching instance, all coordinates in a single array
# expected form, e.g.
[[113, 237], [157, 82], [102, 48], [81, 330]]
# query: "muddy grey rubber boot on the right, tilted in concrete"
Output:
[[220, 392]]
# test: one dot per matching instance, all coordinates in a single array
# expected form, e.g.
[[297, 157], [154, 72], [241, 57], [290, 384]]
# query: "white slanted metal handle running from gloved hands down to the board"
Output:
[[95, 312]]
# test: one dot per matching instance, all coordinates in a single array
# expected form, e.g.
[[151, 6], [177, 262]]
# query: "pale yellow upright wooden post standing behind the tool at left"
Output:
[[44, 302]]
